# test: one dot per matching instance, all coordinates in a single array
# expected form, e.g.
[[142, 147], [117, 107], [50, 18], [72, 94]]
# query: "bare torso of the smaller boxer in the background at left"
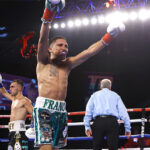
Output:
[[18, 110]]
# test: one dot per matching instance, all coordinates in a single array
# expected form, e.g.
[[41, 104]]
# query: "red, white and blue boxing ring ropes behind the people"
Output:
[[140, 136]]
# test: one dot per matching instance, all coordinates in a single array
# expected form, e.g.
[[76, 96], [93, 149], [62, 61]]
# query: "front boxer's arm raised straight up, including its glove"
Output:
[[51, 7]]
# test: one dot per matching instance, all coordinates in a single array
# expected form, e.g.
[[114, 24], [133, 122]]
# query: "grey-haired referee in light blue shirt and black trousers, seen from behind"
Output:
[[105, 107]]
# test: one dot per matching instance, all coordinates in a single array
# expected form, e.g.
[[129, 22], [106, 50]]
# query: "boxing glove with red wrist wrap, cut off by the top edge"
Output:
[[51, 7]]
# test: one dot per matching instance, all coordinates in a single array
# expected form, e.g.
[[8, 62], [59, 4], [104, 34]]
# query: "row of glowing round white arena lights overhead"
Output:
[[116, 16]]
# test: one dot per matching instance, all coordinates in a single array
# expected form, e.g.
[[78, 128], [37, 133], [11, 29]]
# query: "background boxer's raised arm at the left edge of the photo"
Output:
[[3, 90]]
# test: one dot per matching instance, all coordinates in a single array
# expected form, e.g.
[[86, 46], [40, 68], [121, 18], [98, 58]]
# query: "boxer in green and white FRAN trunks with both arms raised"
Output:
[[53, 68]]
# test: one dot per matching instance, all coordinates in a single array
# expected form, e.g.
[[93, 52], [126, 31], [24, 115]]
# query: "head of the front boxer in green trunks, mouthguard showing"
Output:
[[59, 49]]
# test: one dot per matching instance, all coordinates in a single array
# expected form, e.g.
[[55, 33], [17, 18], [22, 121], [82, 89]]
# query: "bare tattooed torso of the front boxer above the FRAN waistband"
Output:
[[52, 80]]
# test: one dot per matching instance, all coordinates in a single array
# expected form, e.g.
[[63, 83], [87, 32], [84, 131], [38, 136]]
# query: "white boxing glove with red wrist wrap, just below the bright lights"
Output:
[[112, 31]]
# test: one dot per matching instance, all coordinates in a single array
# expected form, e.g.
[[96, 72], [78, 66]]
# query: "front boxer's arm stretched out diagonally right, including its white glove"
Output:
[[112, 31]]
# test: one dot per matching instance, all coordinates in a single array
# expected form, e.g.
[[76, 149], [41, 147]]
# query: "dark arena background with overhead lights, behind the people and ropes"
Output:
[[126, 61]]
